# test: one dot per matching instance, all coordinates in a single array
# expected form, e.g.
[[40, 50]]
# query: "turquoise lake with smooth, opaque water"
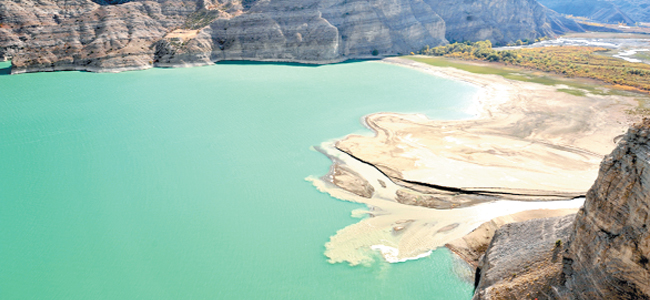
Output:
[[190, 183]]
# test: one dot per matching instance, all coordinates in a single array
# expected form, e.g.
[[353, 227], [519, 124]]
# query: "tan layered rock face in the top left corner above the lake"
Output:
[[80, 34]]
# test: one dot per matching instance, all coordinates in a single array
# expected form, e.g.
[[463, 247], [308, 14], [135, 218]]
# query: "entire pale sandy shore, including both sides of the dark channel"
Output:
[[429, 183]]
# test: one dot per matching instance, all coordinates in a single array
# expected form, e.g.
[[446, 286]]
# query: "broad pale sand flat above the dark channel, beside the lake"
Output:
[[509, 115]]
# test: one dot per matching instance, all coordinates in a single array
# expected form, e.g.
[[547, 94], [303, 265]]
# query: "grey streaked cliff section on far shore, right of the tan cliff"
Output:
[[317, 31]]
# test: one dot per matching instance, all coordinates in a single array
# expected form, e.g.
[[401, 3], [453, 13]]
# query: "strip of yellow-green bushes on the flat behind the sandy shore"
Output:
[[569, 60]]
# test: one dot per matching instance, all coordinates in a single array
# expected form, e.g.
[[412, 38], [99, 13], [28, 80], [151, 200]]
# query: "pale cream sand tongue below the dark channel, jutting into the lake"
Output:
[[407, 231]]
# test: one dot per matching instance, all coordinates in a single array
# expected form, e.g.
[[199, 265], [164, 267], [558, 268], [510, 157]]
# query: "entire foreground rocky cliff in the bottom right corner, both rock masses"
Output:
[[603, 255]]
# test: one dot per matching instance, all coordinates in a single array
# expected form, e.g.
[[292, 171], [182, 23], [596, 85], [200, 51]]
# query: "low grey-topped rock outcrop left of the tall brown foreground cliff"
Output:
[[524, 260]]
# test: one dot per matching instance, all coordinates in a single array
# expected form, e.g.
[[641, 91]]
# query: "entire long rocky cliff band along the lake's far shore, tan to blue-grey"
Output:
[[49, 35]]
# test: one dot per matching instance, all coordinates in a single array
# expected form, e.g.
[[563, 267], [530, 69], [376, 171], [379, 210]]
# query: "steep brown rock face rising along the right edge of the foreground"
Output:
[[610, 247]]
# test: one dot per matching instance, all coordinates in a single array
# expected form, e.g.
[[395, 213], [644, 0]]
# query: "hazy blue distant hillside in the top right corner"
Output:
[[608, 11]]
